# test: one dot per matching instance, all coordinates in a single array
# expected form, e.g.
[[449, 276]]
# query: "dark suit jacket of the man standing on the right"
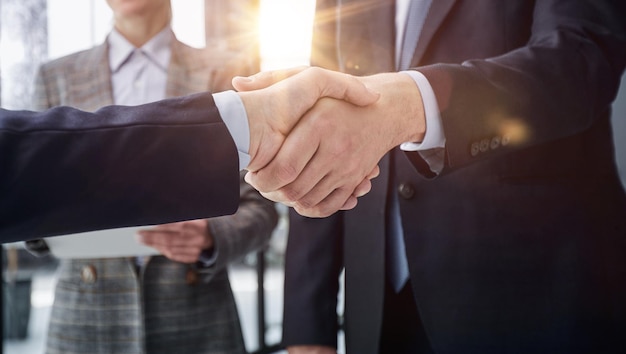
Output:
[[518, 245]]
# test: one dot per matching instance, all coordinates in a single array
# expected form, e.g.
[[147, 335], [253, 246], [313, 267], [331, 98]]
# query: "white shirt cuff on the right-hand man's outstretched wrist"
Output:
[[434, 137]]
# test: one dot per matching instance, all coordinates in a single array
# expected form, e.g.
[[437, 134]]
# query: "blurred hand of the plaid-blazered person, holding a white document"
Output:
[[181, 242]]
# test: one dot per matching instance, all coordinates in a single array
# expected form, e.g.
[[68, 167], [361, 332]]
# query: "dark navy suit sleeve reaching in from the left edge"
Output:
[[67, 171]]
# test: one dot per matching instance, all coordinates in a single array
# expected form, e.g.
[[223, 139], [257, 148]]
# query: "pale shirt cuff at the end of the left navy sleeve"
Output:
[[234, 115]]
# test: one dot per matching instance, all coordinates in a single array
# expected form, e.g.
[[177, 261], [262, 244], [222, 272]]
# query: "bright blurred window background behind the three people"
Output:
[[271, 33]]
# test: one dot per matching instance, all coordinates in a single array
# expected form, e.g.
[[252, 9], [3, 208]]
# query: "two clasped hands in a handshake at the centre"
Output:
[[316, 136]]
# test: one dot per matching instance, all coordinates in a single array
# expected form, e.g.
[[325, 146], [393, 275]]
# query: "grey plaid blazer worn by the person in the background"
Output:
[[106, 305]]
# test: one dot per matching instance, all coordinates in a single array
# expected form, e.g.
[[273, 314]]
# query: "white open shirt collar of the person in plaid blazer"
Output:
[[157, 49]]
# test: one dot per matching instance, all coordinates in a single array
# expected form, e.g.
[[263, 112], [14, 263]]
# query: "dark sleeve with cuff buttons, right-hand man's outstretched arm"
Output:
[[556, 85]]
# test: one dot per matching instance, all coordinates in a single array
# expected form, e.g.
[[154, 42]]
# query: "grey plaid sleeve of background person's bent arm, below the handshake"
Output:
[[248, 230]]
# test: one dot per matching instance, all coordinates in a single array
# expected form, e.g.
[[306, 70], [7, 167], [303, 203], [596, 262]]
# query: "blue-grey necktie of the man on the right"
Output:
[[397, 265]]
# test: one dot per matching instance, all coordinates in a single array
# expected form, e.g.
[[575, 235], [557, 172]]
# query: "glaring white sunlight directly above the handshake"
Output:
[[285, 32]]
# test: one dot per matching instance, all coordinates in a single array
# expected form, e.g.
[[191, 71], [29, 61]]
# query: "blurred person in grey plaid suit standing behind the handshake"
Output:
[[150, 304]]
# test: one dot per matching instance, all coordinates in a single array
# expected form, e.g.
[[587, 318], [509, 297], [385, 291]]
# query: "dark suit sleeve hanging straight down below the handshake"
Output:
[[313, 262]]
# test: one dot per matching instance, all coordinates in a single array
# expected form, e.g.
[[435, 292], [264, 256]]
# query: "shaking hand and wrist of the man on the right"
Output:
[[336, 146]]
